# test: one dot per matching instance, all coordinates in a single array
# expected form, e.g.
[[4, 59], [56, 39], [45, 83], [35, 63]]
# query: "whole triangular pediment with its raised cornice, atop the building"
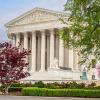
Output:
[[36, 15]]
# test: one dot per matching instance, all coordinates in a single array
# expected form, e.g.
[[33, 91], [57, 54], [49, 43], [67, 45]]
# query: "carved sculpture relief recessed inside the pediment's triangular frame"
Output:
[[35, 17]]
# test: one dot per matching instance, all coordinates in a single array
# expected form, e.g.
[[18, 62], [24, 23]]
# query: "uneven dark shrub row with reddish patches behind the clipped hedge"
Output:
[[56, 85]]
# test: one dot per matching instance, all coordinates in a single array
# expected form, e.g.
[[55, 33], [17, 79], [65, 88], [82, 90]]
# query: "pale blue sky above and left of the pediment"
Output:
[[9, 9]]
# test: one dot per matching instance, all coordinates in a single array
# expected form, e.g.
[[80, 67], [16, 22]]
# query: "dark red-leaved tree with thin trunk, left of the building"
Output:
[[13, 65]]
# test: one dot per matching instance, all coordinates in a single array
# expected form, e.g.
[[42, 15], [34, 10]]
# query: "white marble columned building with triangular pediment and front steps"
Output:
[[37, 31]]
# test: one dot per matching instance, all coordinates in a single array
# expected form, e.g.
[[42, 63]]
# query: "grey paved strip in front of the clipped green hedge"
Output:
[[43, 98]]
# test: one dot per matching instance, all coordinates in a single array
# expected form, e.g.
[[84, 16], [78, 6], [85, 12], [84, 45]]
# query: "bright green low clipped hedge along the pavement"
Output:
[[29, 91]]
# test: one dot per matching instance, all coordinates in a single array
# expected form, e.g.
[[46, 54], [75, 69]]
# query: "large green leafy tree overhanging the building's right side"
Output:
[[83, 32]]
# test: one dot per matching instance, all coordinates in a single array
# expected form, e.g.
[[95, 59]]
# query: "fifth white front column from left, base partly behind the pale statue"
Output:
[[51, 48]]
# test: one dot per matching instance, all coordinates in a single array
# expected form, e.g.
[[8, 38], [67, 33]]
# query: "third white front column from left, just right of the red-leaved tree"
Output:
[[33, 68]]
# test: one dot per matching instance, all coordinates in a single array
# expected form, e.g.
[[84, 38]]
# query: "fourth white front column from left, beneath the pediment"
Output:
[[42, 50]]
